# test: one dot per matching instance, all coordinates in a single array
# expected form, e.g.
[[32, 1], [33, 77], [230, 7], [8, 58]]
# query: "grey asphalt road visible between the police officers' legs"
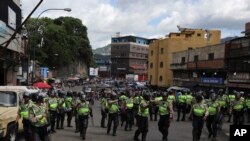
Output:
[[178, 131]]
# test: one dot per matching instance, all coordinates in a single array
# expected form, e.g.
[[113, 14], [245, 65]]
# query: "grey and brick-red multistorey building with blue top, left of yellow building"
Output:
[[129, 55]]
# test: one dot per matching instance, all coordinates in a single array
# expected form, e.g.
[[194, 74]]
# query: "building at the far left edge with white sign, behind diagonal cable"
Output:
[[10, 19]]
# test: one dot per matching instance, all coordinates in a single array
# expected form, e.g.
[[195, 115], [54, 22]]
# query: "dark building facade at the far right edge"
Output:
[[238, 61]]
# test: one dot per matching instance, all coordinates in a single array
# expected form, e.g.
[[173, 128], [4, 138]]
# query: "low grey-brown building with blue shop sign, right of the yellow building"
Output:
[[203, 67]]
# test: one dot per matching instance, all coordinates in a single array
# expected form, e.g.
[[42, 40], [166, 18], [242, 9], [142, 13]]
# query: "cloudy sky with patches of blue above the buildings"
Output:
[[147, 18]]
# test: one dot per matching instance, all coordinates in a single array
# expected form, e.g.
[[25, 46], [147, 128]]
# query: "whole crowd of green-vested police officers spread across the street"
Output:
[[44, 112]]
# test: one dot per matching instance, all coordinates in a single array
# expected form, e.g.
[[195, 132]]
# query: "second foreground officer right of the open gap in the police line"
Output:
[[113, 110]]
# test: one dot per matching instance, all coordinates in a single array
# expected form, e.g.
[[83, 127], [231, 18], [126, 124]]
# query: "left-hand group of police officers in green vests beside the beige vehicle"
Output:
[[41, 111]]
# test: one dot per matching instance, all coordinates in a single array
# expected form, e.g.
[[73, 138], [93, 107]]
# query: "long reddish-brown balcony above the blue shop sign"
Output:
[[207, 64]]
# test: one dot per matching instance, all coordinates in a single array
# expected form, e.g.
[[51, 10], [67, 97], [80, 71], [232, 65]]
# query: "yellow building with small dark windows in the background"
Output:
[[160, 52]]
